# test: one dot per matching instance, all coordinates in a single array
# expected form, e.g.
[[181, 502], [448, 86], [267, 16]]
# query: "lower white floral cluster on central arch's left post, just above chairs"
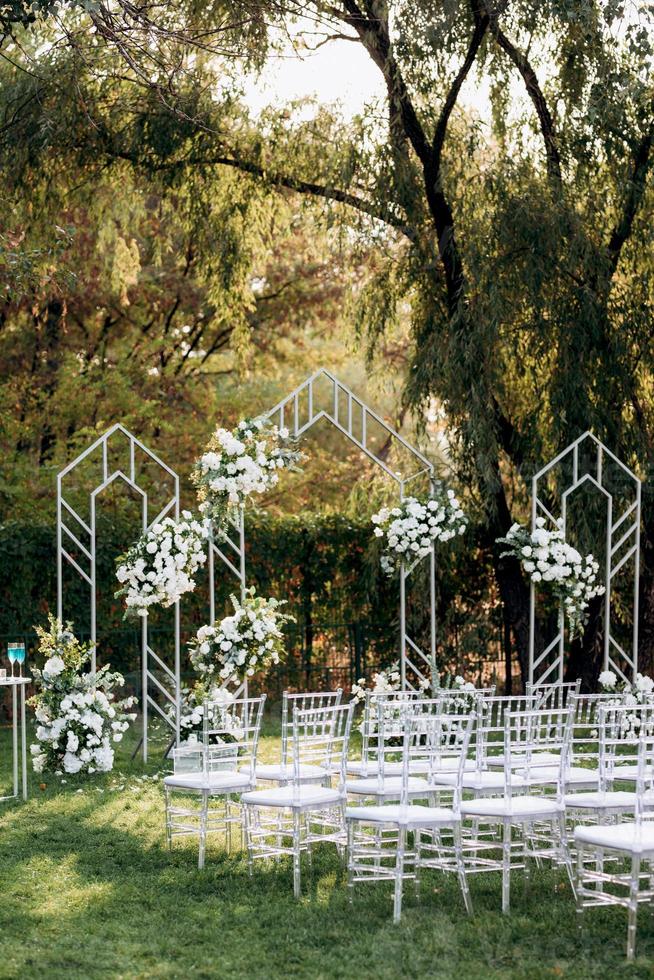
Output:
[[243, 644]]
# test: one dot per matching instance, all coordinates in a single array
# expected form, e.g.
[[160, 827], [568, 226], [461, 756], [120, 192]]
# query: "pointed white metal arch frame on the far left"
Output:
[[169, 686]]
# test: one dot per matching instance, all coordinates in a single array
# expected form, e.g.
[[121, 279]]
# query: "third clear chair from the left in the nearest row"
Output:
[[378, 835]]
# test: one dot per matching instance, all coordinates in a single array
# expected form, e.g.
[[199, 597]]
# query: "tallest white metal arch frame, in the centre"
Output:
[[298, 412]]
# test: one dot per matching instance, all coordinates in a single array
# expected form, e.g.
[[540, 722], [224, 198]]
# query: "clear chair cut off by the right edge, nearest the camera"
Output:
[[629, 880]]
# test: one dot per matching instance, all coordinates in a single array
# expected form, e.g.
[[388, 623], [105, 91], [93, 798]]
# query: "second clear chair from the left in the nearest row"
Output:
[[320, 738]]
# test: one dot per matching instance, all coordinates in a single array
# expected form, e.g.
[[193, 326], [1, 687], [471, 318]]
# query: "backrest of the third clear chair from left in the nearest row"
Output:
[[427, 737]]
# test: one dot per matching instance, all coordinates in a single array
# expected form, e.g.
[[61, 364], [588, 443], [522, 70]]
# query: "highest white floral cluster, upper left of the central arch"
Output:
[[240, 463]]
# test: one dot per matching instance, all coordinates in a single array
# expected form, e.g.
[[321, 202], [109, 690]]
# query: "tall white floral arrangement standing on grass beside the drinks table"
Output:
[[78, 716]]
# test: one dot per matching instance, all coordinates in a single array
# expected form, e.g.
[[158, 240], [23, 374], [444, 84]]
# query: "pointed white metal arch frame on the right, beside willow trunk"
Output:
[[548, 665]]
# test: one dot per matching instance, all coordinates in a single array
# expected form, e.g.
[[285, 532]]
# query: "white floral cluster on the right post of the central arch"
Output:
[[411, 529]]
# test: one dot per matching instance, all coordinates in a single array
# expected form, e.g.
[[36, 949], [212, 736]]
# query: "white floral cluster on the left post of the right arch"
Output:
[[548, 559]]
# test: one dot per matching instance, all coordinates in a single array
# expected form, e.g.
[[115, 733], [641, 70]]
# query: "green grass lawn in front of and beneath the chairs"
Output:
[[88, 889]]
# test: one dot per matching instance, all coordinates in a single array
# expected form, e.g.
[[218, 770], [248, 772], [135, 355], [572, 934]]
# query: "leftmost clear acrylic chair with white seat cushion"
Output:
[[214, 771]]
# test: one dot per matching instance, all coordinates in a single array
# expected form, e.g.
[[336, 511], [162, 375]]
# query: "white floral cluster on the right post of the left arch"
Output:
[[161, 566]]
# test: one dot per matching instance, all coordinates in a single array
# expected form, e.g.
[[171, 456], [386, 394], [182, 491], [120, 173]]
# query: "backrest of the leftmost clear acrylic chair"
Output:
[[230, 732]]
